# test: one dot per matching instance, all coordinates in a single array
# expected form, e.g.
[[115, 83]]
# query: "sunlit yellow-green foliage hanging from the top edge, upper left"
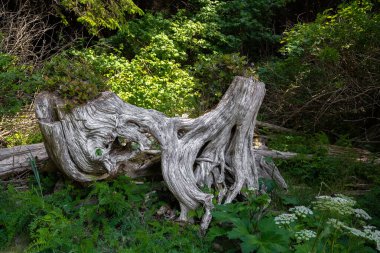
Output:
[[97, 14]]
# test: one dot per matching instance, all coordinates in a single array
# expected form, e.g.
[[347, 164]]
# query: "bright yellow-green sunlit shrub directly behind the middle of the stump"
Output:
[[148, 81]]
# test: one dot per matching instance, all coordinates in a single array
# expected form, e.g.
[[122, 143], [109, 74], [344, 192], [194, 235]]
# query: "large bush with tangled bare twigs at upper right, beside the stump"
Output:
[[328, 77]]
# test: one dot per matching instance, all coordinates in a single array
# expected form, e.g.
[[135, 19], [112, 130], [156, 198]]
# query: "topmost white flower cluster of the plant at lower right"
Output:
[[340, 204]]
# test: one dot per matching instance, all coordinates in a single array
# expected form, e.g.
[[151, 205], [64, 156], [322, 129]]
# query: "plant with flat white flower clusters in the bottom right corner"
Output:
[[331, 224]]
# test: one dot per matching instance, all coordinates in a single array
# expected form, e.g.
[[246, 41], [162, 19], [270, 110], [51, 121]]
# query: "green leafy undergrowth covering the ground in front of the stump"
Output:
[[122, 216]]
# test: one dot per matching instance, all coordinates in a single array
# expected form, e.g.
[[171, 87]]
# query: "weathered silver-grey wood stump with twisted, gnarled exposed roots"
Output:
[[107, 136]]
